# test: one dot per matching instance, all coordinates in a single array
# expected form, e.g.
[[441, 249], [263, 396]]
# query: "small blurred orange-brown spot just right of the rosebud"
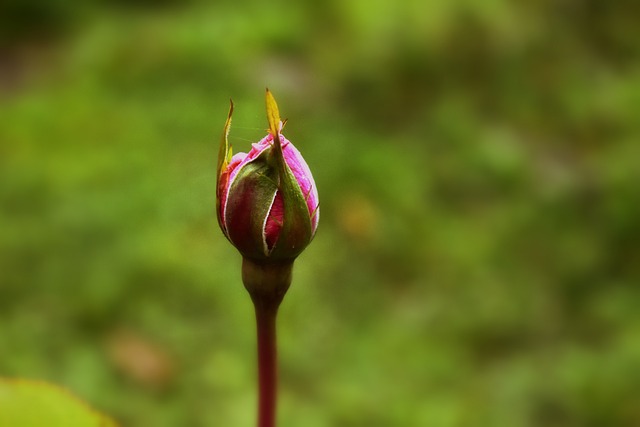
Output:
[[358, 217]]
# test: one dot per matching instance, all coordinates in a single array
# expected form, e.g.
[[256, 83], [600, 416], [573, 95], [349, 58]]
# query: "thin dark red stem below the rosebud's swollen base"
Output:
[[266, 312]]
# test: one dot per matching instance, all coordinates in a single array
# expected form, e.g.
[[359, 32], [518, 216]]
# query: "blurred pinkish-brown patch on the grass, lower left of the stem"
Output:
[[144, 362]]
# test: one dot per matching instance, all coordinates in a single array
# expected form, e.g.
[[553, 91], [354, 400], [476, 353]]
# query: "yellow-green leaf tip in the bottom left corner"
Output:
[[34, 404]]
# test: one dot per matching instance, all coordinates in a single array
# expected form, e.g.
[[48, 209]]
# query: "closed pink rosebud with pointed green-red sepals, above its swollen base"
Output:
[[267, 201]]
